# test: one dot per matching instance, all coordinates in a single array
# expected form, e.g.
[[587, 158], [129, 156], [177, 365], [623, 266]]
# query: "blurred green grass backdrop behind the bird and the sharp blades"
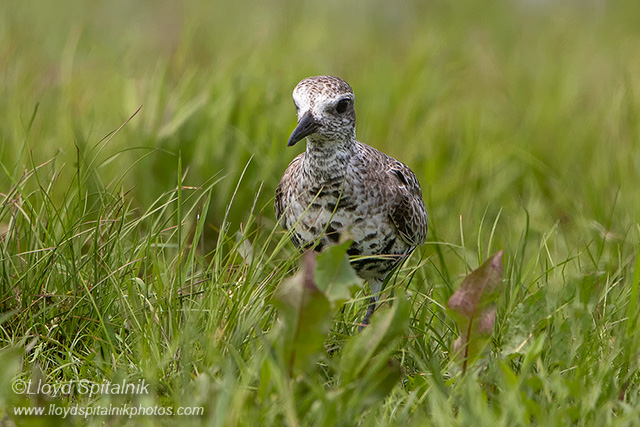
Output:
[[514, 105]]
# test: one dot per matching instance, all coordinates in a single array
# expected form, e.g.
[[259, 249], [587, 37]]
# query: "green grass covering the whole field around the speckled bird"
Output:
[[147, 248]]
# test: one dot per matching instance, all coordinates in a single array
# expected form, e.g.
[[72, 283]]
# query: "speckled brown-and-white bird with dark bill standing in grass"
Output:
[[339, 185]]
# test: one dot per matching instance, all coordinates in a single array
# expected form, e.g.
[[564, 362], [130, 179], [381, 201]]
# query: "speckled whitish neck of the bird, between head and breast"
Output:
[[325, 160]]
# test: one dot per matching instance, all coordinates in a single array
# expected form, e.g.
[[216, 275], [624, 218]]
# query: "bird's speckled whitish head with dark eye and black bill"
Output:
[[325, 109]]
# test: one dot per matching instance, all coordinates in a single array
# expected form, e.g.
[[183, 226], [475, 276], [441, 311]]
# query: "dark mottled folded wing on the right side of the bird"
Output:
[[408, 212]]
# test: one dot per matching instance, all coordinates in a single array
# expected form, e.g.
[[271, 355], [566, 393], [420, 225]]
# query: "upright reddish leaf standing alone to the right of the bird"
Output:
[[473, 308]]
